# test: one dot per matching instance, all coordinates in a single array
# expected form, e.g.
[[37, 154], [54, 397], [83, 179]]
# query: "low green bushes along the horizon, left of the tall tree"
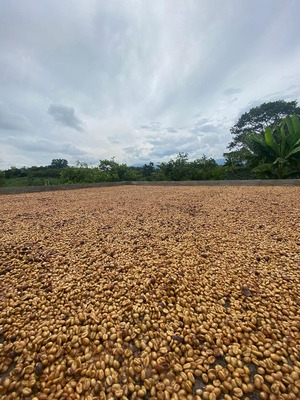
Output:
[[110, 171]]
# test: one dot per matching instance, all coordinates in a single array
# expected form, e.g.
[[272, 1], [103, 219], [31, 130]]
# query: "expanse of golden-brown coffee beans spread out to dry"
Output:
[[150, 293]]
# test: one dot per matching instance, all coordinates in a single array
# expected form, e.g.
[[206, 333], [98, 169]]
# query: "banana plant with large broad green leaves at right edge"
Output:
[[276, 153]]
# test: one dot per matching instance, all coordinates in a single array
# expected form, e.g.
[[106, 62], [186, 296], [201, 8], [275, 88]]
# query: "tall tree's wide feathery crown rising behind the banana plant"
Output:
[[259, 118]]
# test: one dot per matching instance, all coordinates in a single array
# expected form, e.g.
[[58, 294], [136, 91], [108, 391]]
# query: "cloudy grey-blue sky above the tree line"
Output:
[[138, 80]]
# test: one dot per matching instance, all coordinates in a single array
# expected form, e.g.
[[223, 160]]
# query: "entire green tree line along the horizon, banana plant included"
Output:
[[266, 144]]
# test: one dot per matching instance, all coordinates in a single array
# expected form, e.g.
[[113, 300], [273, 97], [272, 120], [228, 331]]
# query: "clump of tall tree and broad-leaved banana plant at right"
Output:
[[265, 142]]
